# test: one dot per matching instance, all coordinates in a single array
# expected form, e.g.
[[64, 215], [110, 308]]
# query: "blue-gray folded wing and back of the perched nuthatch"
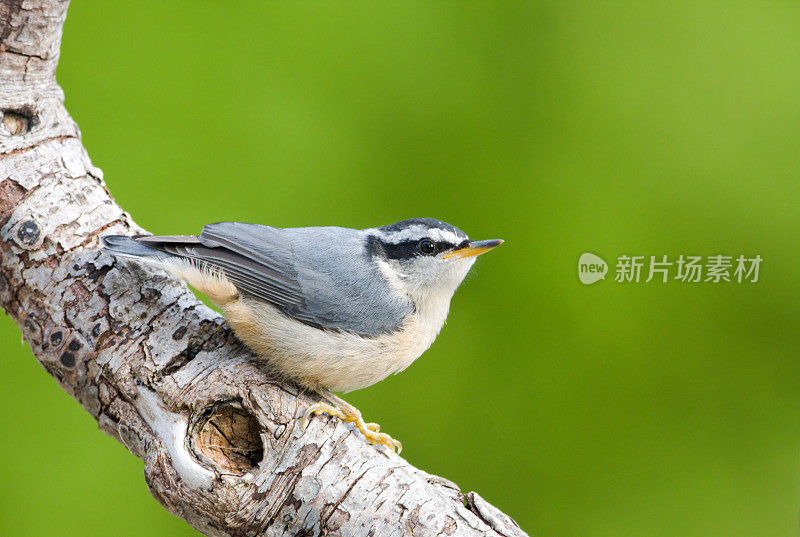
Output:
[[318, 276]]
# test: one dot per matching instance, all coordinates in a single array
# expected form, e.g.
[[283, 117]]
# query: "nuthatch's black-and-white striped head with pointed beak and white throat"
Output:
[[424, 258]]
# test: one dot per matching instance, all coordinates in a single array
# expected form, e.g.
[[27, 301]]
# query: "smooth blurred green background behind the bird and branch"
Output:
[[645, 128]]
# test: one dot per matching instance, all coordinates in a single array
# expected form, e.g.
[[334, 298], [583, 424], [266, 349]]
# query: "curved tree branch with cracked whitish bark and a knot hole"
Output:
[[162, 373]]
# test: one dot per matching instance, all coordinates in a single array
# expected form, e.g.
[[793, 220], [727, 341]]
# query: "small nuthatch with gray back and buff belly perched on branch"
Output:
[[333, 309]]
